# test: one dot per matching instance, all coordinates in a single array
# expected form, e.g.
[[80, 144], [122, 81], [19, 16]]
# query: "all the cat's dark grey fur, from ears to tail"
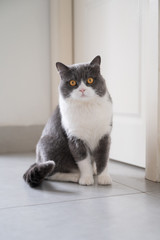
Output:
[[54, 144]]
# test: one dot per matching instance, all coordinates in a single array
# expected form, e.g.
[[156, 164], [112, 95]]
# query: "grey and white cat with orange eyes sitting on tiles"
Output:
[[75, 143]]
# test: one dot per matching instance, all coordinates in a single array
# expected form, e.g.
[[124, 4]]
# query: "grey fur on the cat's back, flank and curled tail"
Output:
[[53, 145]]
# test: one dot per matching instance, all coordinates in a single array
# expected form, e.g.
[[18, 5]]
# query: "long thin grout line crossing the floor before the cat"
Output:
[[68, 201]]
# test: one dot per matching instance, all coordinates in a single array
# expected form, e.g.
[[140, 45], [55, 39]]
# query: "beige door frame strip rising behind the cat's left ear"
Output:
[[61, 41]]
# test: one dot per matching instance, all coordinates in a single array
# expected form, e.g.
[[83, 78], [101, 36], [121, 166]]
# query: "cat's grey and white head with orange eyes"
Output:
[[82, 81]]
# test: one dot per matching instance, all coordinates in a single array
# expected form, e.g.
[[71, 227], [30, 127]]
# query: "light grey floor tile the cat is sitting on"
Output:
[[15, 192]]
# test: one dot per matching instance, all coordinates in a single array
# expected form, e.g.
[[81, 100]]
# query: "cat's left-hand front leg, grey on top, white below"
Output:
[[83, 160]]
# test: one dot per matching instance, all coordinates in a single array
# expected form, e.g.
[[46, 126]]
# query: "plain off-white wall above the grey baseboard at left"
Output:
[[24, 62]]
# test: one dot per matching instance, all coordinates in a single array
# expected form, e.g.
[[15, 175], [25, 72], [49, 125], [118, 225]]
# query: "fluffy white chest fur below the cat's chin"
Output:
[[88, 121]]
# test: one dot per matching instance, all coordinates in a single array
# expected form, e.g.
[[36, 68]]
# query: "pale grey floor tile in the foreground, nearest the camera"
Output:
[[130, 217]]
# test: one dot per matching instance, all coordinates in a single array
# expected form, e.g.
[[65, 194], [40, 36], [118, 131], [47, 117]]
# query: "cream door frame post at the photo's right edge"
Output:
[[153, 93]]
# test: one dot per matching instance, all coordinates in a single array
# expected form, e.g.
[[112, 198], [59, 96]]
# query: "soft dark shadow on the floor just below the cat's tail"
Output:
[[48, 186]]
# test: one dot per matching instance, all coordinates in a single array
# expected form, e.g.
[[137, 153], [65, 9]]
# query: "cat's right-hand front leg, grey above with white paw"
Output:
[[101, 155]]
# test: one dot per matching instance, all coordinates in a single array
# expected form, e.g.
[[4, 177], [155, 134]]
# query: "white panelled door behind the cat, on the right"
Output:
[[115, 30]]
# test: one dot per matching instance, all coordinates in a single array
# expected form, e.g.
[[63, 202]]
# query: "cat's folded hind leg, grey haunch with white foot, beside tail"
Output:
[[65, 169]]
